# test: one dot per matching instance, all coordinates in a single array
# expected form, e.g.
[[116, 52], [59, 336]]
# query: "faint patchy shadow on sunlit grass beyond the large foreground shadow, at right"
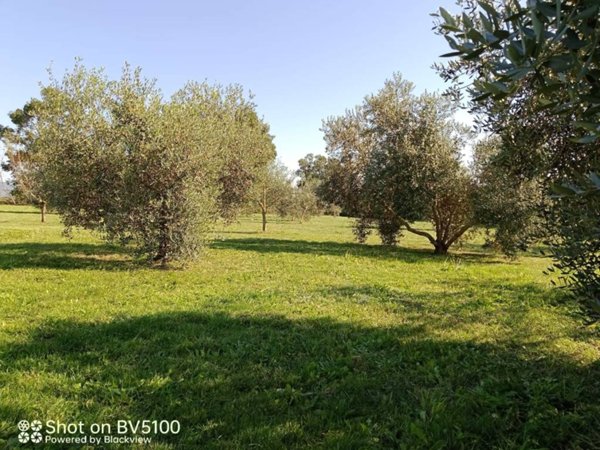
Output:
[[463, 304]]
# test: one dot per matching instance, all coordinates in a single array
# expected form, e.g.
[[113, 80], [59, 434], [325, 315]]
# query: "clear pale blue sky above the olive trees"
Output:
[[303, 60]]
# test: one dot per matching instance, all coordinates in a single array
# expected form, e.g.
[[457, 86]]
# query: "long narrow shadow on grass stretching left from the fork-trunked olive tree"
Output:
[[333, 248]]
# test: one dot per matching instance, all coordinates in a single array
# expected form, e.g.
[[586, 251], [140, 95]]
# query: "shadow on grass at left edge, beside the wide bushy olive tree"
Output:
[[68, 255]]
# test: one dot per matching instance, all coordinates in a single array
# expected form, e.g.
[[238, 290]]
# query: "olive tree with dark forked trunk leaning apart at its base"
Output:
[[395, 160]]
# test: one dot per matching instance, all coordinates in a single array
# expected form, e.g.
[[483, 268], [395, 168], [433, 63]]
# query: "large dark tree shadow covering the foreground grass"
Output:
[[269, 382]]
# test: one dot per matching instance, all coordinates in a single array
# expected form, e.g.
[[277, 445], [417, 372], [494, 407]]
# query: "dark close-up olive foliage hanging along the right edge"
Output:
[[532, 73]]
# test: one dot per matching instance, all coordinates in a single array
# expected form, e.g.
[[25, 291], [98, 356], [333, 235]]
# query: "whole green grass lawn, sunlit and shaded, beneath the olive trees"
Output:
[[295, 338]]
